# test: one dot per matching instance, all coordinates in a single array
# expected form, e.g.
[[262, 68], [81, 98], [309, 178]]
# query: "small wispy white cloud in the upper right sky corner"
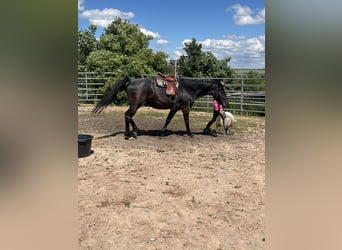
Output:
[[244, 15]]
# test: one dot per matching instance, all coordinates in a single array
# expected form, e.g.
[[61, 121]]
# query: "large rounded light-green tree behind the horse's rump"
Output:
[[123, 50]]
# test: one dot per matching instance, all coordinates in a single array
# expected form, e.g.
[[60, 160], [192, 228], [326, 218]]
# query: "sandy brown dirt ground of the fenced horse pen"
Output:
[[171, 192]]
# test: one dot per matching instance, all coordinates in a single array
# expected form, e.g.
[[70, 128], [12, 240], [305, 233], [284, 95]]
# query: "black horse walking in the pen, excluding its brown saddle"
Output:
[[145, 90]]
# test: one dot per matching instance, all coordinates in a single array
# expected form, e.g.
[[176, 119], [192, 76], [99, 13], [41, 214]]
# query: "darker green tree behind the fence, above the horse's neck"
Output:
[[197, 63]]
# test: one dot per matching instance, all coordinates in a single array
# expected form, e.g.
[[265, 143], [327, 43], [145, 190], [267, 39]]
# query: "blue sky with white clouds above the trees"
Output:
[[225, 28]]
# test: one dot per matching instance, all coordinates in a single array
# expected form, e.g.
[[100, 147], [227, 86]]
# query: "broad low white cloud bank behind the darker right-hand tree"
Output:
[[244, 52]]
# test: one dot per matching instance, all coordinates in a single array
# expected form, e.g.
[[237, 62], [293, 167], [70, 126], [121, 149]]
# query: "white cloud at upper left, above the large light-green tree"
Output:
[[102, 18]]
